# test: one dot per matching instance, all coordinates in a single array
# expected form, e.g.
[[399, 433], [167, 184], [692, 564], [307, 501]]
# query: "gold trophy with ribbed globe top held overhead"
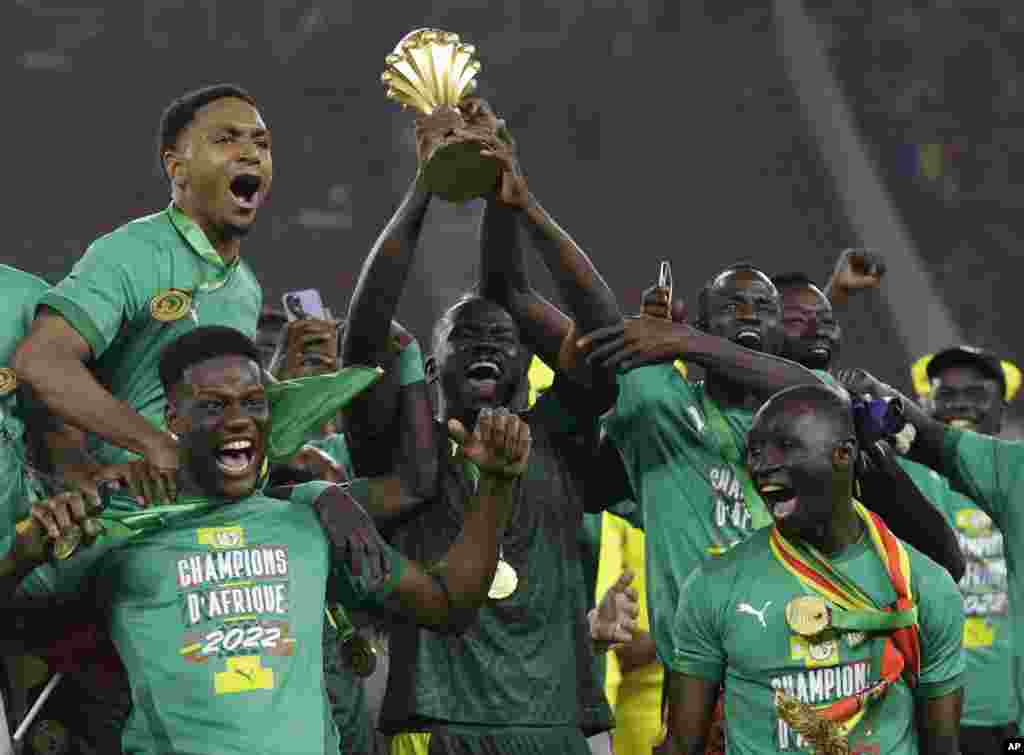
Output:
[[432, 69]]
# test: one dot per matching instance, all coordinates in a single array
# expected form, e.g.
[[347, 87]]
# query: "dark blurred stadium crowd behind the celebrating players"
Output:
[[655, 130]]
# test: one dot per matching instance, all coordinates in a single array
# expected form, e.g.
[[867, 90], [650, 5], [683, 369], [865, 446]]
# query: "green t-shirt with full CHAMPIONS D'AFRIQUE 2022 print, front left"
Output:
[[219, 619]]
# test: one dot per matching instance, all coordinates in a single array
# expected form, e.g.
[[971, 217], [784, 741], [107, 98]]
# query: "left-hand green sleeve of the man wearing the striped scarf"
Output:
[[697, 637]]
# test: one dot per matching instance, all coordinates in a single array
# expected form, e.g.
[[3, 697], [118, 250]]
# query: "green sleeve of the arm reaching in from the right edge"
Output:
[[988, 471]]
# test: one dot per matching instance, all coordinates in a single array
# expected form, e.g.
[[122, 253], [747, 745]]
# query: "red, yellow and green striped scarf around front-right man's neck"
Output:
[[902, 652]]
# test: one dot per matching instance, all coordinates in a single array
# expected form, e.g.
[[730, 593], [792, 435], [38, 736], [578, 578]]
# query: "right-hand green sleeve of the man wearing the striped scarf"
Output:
[[941, 621]]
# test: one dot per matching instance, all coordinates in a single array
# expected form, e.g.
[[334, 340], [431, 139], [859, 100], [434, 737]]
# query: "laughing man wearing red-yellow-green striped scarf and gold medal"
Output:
[[782, 618]]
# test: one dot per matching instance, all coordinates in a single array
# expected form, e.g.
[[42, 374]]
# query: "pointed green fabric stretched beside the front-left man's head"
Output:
[[301, 407]]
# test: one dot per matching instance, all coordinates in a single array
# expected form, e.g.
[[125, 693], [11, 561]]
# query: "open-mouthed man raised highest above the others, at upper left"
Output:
[[93, 355]]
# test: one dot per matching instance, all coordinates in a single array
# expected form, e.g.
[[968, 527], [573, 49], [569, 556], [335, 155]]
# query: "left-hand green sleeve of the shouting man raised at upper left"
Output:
[[107, 287]]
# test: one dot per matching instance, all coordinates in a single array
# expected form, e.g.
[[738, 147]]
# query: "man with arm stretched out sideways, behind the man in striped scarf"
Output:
[[681, 442]]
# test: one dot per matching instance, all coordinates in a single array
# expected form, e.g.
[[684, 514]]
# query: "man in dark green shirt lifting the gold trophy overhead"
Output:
[[519, 680]]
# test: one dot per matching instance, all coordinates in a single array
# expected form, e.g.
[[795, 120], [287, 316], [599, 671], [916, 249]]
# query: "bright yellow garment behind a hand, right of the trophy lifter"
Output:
[[636, 698]]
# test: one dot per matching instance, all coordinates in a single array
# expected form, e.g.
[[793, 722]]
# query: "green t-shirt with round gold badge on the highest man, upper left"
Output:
[[108, 296]]
